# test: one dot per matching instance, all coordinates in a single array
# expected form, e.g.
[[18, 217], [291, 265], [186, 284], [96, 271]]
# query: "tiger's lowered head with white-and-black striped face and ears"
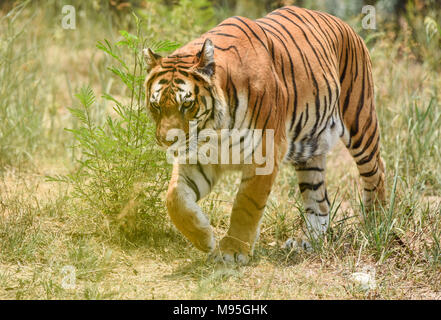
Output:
[[179, 89]]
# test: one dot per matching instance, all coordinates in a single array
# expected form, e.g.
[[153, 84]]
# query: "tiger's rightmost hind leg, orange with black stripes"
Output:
[[361, 131]]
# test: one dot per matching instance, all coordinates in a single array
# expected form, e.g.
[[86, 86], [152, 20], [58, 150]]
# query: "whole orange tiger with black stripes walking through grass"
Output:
[[304, 75]]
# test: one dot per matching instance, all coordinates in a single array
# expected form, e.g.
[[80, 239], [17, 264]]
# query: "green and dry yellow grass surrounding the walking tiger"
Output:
[[124, 246]]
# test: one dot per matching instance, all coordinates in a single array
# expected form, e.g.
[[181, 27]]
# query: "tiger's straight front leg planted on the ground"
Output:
[[248, 208]]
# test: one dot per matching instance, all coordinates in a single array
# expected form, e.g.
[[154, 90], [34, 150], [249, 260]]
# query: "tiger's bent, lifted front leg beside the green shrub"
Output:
[[190, 183]]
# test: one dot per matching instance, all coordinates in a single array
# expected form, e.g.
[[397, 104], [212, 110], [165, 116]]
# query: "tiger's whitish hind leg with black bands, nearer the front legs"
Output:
[[311, 178]]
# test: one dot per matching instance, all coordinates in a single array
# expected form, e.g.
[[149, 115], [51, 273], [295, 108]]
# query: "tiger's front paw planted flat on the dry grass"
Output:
[[231, 251]]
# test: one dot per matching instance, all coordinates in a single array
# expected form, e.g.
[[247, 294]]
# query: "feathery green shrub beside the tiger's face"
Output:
[[120, 172]]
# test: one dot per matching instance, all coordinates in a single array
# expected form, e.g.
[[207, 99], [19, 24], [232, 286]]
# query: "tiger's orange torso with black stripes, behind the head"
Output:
[[298, 61]]
